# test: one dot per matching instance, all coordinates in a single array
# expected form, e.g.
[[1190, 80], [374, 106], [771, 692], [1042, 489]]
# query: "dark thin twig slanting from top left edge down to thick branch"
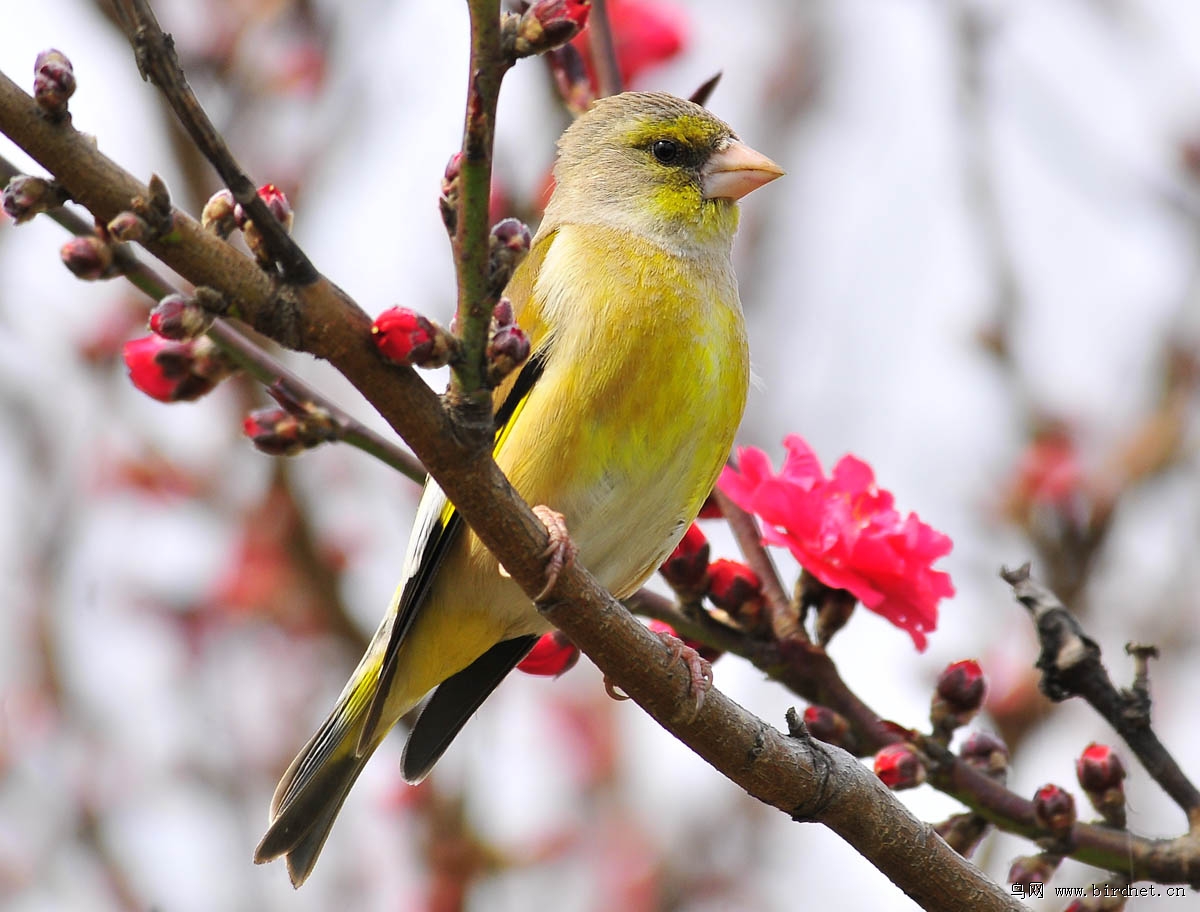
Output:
[[159, 63]]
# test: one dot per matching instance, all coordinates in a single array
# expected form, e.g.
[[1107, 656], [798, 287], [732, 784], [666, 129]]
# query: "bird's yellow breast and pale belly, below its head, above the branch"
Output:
[[641, 395]]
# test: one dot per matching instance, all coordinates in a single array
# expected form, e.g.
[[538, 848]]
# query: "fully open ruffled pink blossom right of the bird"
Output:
[[847, 532]]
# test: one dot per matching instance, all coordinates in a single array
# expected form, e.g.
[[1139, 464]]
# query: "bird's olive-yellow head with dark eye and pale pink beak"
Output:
[[658, 166]]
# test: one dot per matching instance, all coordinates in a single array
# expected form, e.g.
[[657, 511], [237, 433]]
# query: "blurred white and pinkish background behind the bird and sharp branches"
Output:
[[982, 275]]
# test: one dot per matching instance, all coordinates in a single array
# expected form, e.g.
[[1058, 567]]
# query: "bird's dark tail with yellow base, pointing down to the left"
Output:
[[313, 790]]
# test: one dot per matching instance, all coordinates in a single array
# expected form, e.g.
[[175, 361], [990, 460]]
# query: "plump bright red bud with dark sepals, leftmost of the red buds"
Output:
[[176, 371]]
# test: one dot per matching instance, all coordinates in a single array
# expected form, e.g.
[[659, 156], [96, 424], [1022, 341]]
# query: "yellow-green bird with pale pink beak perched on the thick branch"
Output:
[[621, 422]]
